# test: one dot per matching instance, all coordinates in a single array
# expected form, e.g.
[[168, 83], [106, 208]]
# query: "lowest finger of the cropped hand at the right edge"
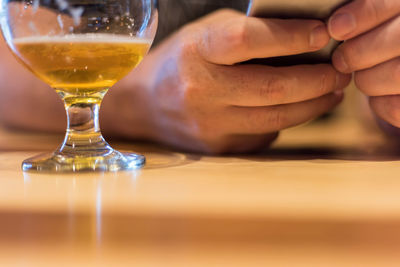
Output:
[[387, 108]]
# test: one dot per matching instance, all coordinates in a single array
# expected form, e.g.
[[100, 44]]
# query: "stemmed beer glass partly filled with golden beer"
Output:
[[80, 48]]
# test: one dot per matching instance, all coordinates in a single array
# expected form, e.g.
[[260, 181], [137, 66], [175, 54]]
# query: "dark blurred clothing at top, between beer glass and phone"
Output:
[[173, 14]]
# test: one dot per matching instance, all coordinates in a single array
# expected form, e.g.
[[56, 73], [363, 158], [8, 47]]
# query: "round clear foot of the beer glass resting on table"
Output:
[[59, 162]]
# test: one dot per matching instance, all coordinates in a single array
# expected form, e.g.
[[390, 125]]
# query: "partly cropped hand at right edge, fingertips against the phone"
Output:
[[371, 30]]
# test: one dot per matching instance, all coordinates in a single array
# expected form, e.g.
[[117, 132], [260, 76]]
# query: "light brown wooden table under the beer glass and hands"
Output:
[[325, 195]]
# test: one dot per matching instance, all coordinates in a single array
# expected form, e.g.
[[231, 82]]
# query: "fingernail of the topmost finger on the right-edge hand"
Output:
[[342, 24]]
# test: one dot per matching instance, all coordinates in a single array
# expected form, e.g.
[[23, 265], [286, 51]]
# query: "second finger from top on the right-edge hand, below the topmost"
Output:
[[379, 45]]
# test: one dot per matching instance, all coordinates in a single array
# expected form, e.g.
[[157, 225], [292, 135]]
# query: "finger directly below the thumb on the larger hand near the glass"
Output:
[[254, 85]]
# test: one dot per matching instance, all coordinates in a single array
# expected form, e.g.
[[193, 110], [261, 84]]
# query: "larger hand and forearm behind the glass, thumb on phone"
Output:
[[191, 93]]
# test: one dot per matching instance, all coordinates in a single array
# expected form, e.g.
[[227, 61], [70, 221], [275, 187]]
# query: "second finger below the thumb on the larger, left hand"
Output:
[[261, 120]]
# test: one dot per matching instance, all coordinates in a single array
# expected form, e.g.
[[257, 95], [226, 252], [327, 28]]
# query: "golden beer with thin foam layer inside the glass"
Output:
[[83, 63]]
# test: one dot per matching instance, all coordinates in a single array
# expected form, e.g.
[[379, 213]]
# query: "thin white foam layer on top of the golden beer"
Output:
[[82, 38]]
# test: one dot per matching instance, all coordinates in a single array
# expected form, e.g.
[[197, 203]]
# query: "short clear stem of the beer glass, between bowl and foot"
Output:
[[83, 136]]
